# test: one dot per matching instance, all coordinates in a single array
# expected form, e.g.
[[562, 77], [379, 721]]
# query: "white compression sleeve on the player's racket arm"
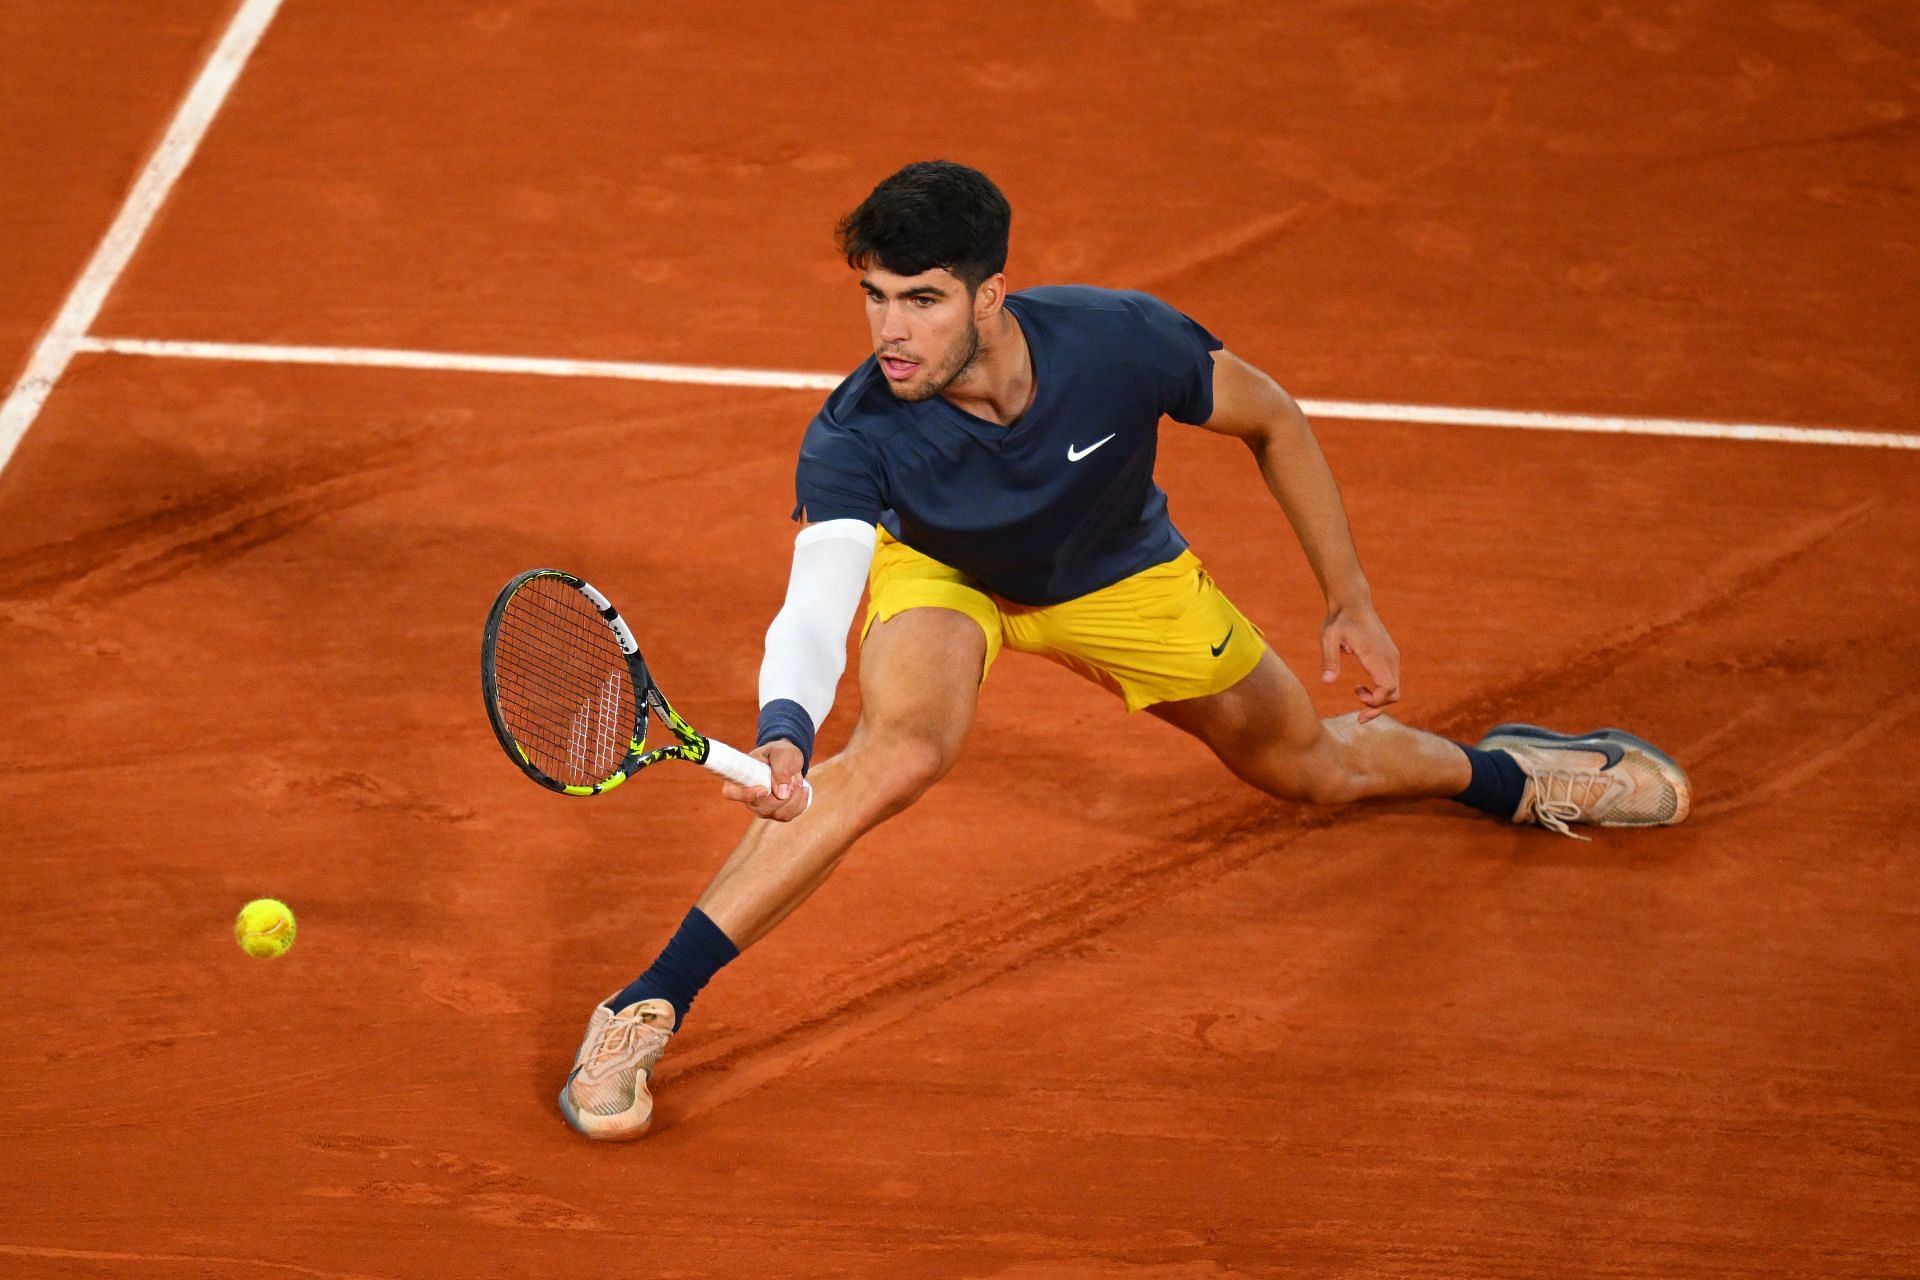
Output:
[[807, 642]]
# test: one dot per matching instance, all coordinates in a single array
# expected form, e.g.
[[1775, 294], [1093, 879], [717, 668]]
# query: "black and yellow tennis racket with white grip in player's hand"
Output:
[[569, 694]]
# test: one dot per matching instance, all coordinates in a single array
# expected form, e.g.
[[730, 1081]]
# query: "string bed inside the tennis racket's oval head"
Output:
[[564, 684]]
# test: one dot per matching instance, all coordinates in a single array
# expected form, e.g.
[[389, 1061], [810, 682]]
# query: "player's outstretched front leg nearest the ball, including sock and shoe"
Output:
[[921, 676]]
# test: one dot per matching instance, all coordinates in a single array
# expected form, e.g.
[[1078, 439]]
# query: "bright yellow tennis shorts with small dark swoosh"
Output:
[[1161, 636]]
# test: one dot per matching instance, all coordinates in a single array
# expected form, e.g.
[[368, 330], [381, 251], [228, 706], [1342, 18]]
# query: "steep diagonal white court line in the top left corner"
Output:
[[178, 147]]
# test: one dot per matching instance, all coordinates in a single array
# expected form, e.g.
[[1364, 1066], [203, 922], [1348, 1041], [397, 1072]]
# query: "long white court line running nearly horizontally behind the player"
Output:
[[383, 358]]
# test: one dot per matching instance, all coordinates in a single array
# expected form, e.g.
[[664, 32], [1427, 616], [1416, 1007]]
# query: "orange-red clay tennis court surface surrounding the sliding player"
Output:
[[1092, 1008]]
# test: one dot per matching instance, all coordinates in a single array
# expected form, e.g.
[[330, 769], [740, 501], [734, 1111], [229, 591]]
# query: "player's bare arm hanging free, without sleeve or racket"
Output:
[[1255, 410]]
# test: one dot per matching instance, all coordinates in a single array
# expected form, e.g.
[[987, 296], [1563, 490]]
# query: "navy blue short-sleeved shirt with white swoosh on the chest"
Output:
[[1055, 506]]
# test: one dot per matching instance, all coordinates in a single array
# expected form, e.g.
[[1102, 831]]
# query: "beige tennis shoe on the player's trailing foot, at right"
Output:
[[1606, 778]]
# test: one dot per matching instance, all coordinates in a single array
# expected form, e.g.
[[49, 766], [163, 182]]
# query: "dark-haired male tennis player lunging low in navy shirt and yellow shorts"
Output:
[[988, 475]]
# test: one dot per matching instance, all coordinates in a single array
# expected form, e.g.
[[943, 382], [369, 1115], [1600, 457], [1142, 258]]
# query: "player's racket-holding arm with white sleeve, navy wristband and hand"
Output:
[[805, 659]]
